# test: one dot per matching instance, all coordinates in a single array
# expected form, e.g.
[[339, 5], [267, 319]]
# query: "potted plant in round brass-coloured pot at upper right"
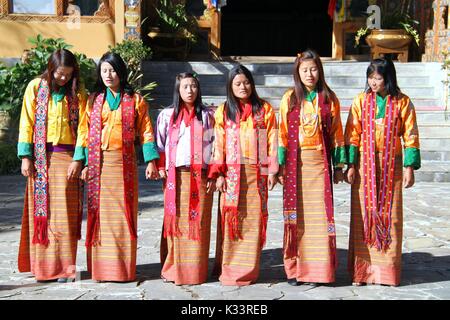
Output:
[[396, 33]]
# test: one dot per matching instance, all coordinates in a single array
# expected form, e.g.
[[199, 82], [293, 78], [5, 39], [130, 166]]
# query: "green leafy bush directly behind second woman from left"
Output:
[[133, 51]]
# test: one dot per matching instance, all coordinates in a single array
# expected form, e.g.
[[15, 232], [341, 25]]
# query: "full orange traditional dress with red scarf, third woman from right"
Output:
[[244, 153]]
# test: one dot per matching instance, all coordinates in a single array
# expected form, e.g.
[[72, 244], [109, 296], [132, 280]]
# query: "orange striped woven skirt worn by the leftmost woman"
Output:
[[58, 259]]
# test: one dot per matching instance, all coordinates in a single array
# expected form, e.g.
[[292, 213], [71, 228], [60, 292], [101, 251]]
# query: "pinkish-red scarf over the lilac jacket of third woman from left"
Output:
[[170, 213]]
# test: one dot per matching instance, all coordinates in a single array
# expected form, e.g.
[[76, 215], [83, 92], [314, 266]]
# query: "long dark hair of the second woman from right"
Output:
[[299, 88]]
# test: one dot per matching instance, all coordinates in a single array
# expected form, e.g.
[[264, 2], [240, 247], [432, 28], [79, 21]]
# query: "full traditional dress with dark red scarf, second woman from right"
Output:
[[311, 141]]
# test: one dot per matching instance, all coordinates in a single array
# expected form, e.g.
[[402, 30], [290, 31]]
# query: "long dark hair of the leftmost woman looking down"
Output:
[[63, 58]]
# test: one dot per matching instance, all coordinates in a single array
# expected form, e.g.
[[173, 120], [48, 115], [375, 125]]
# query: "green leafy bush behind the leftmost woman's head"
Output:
[[14, 80]]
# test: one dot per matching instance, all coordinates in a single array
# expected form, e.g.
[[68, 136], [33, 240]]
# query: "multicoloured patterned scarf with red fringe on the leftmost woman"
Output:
[[40, 235]]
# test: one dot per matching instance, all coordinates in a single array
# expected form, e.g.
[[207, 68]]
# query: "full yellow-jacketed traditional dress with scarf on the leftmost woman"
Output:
[[52, 214]]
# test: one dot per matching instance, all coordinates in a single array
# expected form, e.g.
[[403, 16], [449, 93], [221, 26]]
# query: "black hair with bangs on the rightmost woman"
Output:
[[384, 67]]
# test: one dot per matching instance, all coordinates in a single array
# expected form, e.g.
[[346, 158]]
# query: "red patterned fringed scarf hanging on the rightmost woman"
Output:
[[377, 209]]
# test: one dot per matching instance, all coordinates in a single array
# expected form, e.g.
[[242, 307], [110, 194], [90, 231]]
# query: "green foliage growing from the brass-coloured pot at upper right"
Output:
[[393, 19]]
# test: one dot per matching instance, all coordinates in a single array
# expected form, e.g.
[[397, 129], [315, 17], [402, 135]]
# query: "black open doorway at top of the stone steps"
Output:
[[275, 27]]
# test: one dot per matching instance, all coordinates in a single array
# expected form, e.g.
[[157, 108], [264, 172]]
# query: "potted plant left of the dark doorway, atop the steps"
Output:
[[175, 31]]
